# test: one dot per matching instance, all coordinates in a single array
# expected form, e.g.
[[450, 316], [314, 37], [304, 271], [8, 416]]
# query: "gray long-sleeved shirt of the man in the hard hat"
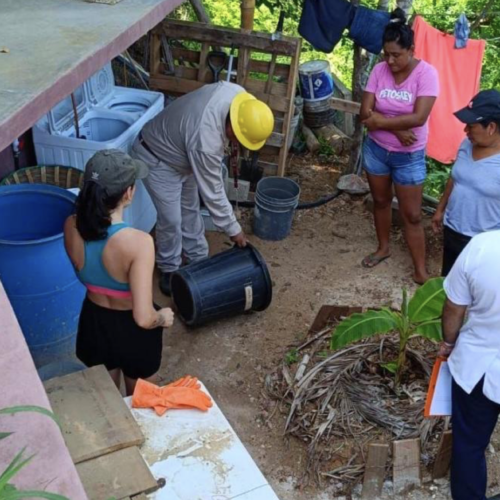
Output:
[[190, 136]]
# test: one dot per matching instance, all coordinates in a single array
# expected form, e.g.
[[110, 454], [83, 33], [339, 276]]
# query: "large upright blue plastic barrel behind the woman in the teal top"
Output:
[[35, 270]]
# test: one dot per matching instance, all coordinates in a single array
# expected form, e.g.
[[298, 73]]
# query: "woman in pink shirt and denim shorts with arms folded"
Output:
[[395, 109]]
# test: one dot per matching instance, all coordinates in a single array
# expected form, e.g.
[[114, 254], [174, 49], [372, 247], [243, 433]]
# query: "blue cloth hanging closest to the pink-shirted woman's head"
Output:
[[367, 28]]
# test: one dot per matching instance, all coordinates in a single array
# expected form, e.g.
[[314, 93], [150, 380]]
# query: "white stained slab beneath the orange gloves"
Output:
[[200, 457]]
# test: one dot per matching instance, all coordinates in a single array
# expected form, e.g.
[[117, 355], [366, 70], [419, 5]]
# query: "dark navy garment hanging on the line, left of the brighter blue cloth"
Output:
[[323, 21]]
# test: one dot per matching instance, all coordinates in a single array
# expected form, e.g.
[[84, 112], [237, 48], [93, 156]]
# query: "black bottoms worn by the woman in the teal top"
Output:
[[113, 339]]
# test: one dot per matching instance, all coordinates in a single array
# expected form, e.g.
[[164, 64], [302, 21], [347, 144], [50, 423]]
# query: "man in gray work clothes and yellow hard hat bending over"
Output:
[[183, 147]]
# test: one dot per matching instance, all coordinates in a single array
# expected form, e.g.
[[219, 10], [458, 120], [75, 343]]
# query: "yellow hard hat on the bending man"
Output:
[[252, 121]]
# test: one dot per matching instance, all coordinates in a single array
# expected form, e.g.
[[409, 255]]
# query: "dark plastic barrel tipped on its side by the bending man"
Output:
[[229, 283]]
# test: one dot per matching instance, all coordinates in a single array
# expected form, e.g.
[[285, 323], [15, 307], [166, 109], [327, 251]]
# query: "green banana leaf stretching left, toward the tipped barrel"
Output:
[[362, 325]]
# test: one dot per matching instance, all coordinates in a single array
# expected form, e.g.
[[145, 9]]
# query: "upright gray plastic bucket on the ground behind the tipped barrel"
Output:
[[276, 199]]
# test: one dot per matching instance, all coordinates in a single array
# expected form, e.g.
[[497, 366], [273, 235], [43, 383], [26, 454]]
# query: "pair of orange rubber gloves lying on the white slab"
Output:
[[148, 395]]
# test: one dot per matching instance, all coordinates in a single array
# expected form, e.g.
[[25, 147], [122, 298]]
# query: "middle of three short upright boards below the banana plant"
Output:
[[406, 468]]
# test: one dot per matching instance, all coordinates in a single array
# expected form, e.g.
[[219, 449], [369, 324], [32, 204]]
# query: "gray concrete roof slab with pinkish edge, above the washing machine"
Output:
[[50, 47]]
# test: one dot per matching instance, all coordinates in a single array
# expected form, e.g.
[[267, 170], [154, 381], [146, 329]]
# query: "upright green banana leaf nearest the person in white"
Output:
[[428, 301]]
